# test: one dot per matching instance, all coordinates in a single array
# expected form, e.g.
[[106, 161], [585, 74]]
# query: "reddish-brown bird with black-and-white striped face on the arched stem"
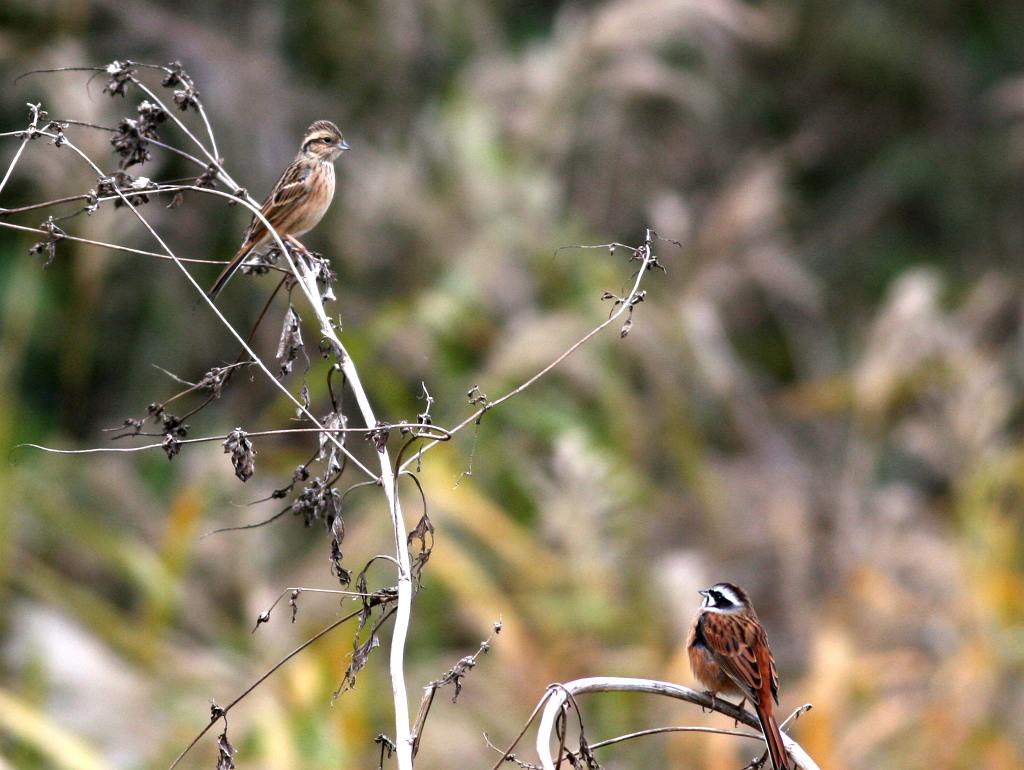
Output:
[[729, 652]]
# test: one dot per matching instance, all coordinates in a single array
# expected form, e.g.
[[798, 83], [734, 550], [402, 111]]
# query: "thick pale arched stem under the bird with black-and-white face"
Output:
[[559, 695]]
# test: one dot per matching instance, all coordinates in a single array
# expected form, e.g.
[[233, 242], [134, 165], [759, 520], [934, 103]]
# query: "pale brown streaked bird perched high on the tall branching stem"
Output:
[[298, 201]]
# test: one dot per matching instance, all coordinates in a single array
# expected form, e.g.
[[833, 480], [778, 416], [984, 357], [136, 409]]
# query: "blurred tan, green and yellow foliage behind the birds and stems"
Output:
[[822, 401]]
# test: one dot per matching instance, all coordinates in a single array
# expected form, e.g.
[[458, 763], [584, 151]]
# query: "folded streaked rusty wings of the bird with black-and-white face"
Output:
[[741, 649]]
